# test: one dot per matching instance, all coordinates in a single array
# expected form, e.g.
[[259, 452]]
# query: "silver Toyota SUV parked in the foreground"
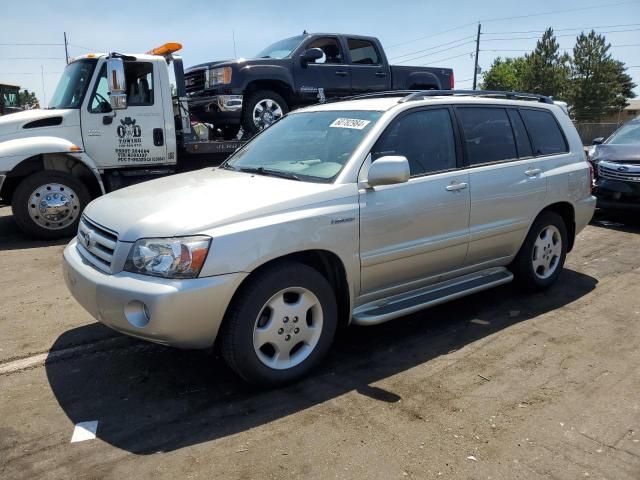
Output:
[[352, 212]]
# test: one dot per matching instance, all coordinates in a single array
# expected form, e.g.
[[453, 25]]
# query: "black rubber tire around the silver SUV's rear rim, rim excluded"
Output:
[[523, 266]]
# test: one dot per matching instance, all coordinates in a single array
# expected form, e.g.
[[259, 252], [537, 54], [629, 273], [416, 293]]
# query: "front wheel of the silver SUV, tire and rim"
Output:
[[280, 325]]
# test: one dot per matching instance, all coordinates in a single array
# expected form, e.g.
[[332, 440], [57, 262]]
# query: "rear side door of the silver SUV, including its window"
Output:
[[507, 183]]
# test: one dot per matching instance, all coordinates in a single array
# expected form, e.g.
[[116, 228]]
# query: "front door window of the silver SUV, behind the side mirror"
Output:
[[426, 137]]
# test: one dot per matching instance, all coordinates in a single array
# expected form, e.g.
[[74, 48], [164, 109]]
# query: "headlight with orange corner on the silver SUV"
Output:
[[177, 257]]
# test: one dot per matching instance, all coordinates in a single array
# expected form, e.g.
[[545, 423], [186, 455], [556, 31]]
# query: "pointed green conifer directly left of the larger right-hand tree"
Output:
[[546, 70]]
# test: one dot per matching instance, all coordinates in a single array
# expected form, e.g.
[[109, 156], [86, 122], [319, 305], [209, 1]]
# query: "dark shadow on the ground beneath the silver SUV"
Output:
[[148, 398]]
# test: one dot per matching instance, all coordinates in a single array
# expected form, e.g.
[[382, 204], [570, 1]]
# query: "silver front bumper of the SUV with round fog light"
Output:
[[184, 313]]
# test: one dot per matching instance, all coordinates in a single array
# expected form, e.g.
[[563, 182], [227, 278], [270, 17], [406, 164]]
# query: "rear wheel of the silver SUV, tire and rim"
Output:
[[541, 257]]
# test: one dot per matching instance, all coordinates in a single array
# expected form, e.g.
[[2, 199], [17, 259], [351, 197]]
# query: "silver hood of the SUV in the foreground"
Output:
[[195, 202]]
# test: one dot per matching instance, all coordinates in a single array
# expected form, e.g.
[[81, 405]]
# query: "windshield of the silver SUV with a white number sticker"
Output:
[[311, 146]]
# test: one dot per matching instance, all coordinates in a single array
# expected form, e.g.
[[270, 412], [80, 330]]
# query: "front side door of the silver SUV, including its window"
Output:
[[411, 233]]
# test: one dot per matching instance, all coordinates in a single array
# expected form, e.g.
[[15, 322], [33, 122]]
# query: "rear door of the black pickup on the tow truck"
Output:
[[369, 68]]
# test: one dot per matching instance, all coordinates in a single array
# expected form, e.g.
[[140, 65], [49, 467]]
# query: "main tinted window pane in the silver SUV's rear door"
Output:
[[487, 134]]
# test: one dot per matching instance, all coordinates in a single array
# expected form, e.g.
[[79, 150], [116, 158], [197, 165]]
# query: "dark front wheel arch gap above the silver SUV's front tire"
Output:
[[327, 263]]
